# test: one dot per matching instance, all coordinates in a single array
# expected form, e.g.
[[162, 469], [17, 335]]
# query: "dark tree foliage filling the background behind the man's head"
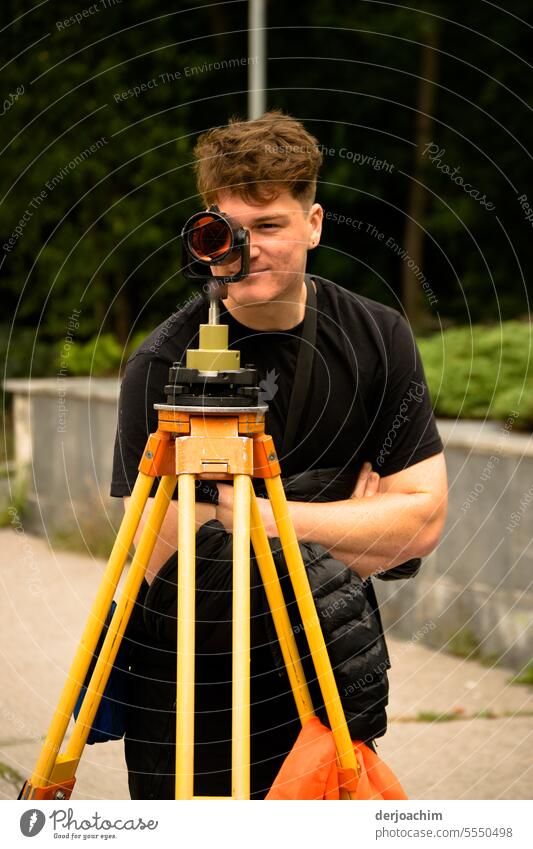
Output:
[[97, 176]]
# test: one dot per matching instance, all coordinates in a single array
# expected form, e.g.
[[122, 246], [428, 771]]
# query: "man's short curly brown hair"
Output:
[[258, 159]]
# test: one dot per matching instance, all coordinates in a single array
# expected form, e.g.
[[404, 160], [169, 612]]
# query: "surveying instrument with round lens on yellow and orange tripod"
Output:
[[211, 428]]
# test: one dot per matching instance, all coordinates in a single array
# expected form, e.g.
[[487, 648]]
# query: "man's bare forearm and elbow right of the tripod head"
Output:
[[368, 534]]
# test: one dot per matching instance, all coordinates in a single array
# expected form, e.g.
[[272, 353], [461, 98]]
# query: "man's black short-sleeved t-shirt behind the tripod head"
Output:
[[367, 398]]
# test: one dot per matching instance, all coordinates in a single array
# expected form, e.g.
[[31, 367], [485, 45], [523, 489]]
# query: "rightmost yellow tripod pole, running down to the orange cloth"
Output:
[[313, 631]]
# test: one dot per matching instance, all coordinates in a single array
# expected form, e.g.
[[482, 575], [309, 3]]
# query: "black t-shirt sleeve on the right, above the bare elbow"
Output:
[[404, 431]]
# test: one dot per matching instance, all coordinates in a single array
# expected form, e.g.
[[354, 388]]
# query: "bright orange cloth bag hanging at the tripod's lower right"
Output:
[[310, 770]]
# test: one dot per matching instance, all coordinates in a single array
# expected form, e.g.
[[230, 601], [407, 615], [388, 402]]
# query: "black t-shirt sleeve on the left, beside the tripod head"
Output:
[[142, 386]]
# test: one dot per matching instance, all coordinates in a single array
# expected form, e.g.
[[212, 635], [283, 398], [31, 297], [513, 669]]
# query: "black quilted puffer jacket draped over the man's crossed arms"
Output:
[[346, 606]]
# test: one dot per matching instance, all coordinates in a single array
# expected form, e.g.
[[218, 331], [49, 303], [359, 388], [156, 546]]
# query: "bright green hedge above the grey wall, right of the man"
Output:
[[481, 372]]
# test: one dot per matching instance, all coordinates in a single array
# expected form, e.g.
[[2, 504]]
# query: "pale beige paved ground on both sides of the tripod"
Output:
[[483, 753]]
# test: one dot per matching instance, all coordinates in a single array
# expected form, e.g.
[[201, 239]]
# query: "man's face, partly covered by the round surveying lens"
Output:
[[281, 233]]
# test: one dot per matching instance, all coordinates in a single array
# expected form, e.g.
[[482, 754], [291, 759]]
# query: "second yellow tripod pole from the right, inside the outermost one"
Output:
[[276, 601]]
